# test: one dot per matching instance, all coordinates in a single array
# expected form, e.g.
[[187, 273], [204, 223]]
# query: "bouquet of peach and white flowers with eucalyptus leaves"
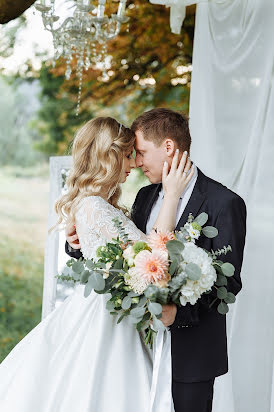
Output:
[[140, 276]]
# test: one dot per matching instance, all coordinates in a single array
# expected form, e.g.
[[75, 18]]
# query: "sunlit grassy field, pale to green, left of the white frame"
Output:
[[23, 221]]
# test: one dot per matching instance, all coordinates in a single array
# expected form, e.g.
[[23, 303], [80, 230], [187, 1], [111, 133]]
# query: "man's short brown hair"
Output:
[[159, 124]]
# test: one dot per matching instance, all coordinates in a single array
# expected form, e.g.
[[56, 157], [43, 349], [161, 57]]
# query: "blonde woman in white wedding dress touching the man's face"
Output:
[[78, 358]]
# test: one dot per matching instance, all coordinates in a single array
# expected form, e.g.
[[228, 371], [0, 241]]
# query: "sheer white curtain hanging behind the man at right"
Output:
[[232, 126]]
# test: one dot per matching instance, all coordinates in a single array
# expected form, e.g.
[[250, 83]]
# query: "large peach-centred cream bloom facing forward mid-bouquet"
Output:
[[152, 266]]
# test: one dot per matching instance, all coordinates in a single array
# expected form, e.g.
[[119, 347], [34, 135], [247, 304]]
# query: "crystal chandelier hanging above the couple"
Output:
[[80, 35]]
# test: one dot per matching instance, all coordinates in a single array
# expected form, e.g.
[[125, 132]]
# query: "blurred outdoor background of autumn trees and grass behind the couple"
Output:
[[147, 67]]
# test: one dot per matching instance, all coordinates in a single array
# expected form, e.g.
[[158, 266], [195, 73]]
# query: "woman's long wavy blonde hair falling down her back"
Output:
[[98, 152]]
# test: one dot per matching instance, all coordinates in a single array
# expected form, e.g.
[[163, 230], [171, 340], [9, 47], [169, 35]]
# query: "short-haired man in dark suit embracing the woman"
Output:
[[198, 332]]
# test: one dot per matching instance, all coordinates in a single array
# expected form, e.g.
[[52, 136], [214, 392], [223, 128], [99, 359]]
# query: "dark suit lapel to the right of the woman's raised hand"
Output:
[[196, 199]]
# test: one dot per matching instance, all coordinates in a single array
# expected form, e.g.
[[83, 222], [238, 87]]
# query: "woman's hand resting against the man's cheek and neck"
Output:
[[177, 178]]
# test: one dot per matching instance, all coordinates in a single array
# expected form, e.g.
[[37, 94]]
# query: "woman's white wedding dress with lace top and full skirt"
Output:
[[78, 359]]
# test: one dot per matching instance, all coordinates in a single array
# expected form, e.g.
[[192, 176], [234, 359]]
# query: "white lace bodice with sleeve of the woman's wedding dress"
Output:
[[95, 227]]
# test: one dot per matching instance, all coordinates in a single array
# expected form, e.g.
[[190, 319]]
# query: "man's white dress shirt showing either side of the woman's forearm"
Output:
[[185, 196]]
